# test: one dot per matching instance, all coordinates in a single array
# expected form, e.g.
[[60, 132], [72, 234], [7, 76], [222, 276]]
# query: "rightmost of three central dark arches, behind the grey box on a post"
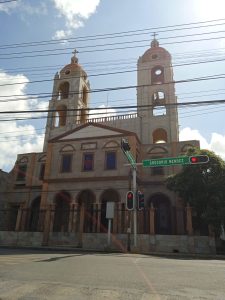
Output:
[[107, 196]]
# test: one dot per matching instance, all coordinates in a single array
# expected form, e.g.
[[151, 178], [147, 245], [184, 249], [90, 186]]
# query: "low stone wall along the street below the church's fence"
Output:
[[119, 242]]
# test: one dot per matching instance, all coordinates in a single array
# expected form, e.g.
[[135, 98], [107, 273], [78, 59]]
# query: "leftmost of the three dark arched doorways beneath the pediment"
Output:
[[62, 210]]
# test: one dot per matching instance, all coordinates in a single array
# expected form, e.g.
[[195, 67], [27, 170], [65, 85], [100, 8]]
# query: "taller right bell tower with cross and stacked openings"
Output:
[[156, 97]]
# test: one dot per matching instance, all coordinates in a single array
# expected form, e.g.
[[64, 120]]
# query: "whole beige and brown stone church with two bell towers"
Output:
[[59, 196]]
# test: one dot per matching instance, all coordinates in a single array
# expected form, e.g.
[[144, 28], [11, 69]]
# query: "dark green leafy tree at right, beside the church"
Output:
[[203, 187]]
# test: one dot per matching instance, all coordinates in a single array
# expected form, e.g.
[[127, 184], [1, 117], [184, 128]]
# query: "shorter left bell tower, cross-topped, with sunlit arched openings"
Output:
[[70, 100]]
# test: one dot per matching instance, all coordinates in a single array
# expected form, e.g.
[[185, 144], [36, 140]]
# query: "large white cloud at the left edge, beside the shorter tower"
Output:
[[16, 137]]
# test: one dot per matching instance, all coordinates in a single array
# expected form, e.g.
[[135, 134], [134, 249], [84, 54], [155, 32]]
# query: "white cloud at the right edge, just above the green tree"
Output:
[[216, 143]]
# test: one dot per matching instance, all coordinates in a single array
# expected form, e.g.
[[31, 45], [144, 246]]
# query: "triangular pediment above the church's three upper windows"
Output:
[[88, 131]]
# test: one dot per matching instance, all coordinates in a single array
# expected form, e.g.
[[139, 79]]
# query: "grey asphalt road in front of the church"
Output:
[[26, 274]]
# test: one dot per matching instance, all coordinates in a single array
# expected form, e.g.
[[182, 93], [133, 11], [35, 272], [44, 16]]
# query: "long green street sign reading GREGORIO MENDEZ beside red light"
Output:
[[168, 161]]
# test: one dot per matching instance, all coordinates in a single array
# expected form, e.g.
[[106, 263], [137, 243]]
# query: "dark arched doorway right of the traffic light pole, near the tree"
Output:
[[162, 206]]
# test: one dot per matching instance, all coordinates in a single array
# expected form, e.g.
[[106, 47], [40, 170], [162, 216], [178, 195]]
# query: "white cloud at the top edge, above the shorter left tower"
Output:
[[75, 13]]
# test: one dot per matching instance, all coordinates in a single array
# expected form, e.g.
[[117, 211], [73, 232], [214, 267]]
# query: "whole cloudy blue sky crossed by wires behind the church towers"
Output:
[[26, 21]]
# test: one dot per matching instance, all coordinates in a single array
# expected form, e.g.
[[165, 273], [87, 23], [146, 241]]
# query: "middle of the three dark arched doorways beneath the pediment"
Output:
[[86, 218]]
